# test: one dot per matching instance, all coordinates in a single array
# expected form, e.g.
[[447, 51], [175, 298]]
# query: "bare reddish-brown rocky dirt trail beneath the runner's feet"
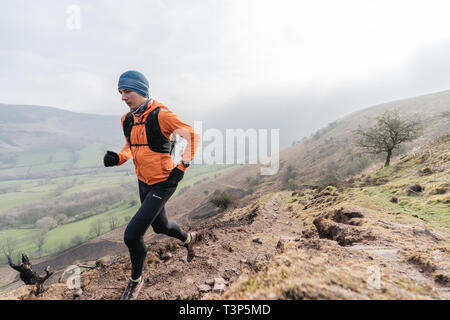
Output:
[[244, 240]]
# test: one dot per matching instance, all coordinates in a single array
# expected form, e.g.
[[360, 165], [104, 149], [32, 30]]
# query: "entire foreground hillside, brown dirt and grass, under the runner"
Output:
[[346, 242]]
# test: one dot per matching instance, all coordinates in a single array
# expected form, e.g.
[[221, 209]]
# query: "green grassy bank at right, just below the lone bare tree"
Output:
[[416, 185]]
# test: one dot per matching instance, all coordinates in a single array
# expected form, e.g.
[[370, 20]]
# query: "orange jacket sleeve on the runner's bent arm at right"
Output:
[[170, 123]]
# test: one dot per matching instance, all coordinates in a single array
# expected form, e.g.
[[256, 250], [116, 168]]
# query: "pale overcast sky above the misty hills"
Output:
[[293, 65]]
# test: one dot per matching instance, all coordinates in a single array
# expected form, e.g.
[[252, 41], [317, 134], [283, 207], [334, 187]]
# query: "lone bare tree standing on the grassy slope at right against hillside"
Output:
[[387, 134]]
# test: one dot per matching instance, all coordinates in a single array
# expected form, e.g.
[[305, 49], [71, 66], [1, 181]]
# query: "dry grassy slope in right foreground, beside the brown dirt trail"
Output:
[[406, 239]]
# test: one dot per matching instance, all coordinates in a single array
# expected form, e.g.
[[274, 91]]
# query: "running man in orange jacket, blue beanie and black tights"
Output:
[[148, 130]]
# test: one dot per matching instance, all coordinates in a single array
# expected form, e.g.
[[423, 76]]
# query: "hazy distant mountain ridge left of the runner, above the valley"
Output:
[[25, 128]]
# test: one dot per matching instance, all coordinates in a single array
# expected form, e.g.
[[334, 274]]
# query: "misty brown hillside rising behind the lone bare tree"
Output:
[[324, 158]]
